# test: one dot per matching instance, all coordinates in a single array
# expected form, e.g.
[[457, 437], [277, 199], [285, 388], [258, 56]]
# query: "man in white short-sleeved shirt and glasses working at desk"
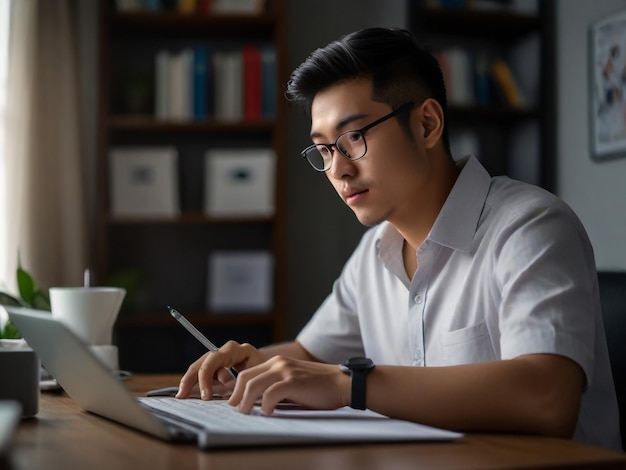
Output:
[[475, 297]]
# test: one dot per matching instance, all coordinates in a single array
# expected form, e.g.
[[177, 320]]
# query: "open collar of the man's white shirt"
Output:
[[458, 219]]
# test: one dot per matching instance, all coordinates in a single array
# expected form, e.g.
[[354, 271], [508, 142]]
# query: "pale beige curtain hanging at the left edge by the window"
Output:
[[45, 217]]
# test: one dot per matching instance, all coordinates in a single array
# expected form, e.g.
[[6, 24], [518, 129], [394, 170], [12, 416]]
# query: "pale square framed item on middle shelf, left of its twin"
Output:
[[144, 181]]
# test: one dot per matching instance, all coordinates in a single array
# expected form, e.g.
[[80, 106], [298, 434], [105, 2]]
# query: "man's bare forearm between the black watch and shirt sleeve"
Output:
[[537, 393]]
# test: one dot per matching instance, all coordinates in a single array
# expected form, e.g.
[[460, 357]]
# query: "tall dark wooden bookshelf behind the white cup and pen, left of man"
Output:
[[164, 260]]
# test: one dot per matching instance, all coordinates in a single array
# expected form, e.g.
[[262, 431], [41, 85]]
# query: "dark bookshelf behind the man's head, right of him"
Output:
[[512, 139]]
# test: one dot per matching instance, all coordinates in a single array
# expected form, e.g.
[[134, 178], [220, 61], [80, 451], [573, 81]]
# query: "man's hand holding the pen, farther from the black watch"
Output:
[[210, 372]]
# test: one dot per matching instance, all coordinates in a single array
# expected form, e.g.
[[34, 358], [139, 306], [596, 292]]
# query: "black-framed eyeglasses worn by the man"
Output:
[[351, 144]]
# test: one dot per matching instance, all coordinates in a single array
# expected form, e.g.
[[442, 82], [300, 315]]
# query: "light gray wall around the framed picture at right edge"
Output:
[[596, 191]]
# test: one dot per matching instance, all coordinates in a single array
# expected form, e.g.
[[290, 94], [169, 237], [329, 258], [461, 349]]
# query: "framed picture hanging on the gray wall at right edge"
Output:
[[607, 91]]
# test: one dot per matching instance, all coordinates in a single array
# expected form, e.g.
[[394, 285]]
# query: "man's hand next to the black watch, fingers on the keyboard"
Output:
[[311, 384]]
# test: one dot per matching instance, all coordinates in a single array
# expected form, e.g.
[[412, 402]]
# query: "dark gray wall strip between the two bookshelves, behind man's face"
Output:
[[322, 231]]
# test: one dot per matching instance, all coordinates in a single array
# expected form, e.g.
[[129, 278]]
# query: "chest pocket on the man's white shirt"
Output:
[[468, 345]]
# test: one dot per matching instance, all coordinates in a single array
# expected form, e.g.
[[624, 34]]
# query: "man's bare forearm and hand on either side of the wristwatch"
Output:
[[537, 393]]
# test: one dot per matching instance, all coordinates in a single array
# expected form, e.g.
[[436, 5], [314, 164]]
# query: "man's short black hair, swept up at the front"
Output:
[[401, 70]]
